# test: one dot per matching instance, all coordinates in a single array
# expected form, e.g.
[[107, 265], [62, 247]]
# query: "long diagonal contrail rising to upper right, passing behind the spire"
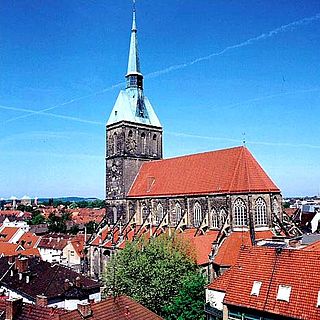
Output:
[[274, 32]]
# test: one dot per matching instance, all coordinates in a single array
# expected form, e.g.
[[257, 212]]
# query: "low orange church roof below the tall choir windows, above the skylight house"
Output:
[[228, 251]]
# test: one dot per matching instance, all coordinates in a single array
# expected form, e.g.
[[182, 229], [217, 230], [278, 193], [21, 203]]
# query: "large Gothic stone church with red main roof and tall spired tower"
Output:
[[221, 191]]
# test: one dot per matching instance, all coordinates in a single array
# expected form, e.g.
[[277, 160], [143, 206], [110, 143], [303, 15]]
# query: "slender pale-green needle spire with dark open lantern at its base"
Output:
[[134, 76]]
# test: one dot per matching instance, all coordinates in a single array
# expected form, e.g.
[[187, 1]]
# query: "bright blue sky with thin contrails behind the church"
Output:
[[206, 81]]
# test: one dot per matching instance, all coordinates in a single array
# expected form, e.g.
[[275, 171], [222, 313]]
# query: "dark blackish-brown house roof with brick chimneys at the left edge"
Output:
[[32, 276]]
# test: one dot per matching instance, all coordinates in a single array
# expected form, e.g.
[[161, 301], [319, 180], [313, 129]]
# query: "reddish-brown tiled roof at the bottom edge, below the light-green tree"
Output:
[[122, 307]]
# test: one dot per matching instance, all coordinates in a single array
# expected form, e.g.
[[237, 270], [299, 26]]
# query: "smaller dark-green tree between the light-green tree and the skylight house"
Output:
[[188, 304]]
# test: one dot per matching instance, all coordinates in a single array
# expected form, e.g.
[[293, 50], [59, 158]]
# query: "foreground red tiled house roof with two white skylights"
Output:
[[298, 269]]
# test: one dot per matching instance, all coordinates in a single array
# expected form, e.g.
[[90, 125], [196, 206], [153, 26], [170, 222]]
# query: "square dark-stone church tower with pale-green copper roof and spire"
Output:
[[133, 136]]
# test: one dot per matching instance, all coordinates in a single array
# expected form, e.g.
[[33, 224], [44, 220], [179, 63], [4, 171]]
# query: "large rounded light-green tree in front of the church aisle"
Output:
[[151, 271]]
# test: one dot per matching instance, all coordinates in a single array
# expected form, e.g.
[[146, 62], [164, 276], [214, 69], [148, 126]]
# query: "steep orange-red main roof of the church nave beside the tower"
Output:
[[232, 170]]
